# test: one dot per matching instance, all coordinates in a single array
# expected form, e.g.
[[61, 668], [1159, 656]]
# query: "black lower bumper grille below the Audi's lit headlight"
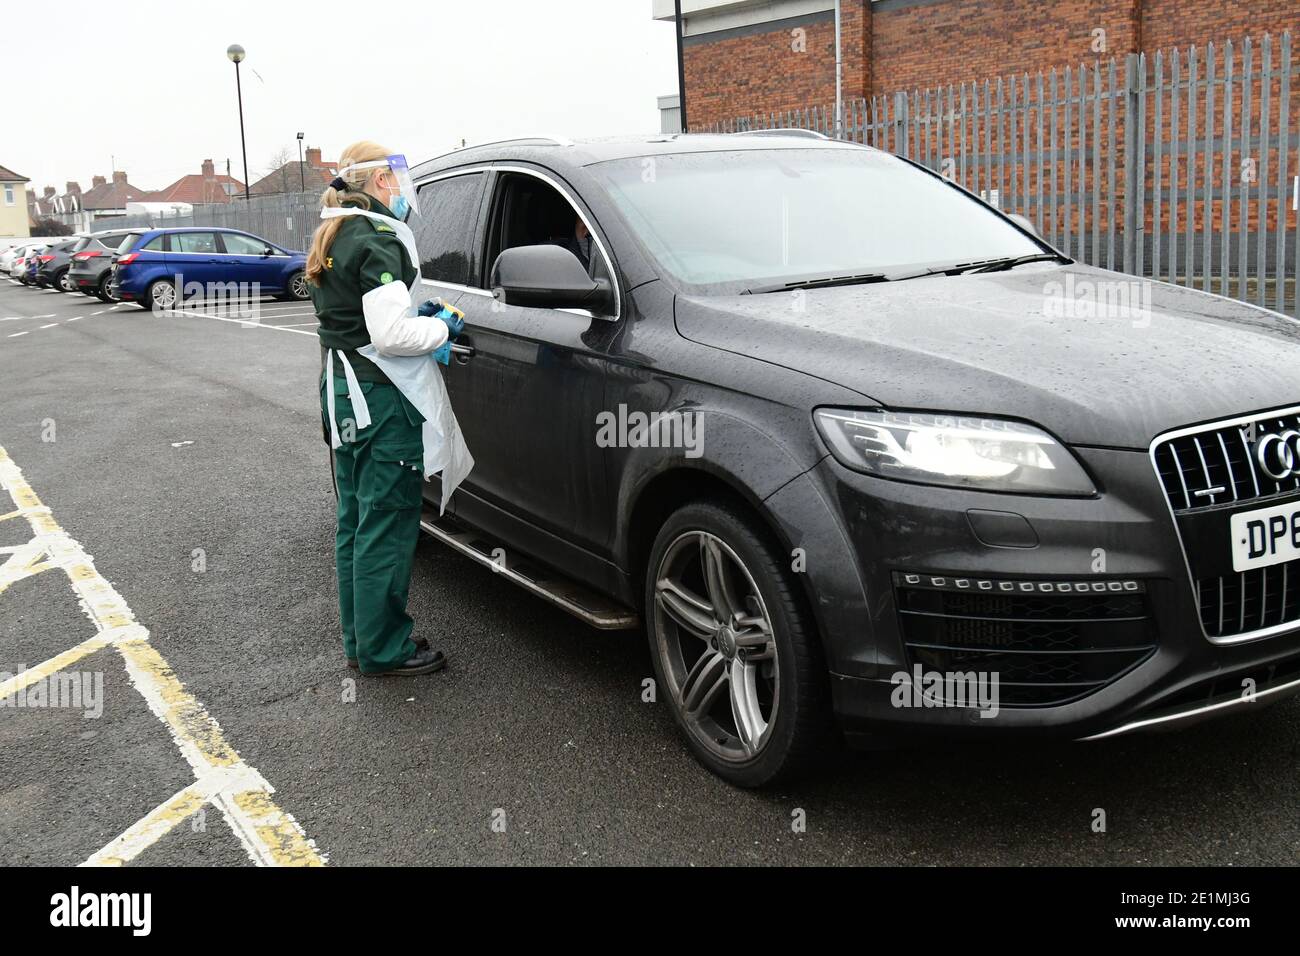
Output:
[[1048, 643]]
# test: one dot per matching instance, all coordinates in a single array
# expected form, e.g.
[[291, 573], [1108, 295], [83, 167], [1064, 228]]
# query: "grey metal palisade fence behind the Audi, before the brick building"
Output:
[[1180, 166]]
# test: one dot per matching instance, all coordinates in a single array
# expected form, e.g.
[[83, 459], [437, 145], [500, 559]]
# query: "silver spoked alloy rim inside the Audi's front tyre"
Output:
[[717, 646]]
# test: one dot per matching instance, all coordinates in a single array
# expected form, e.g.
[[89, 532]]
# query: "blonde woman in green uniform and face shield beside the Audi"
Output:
[[359, 272]]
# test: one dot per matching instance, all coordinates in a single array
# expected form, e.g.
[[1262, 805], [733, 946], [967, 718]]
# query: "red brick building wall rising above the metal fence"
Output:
[[755, 57]]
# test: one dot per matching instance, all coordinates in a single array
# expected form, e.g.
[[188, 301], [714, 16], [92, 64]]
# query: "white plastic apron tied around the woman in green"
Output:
[[417, 377]]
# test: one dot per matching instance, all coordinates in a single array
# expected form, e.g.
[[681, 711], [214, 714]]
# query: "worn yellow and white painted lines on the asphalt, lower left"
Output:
[[270, 836]]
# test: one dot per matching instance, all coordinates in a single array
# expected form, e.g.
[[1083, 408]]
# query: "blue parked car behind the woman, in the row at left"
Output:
[[167, 266]]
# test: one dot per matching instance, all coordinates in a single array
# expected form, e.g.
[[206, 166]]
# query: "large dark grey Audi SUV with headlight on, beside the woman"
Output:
[[898, 445]]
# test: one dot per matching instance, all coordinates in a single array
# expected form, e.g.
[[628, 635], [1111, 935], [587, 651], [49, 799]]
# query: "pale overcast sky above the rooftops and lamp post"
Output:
[[148, 86]]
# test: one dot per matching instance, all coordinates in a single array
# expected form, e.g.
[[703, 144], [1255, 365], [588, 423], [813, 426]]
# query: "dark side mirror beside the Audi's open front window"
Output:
[[549, 278]]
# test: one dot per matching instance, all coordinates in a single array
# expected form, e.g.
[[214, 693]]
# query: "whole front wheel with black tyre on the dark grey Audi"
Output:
[[735, 648]]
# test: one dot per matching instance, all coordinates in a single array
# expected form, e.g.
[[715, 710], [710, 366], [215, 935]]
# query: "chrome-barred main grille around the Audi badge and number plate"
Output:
[[1208, 474]]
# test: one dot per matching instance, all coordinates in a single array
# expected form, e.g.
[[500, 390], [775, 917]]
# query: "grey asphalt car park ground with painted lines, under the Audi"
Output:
[[183, 457]]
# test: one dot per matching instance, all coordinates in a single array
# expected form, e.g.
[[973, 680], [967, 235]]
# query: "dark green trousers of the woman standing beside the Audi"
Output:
[[380, 477]]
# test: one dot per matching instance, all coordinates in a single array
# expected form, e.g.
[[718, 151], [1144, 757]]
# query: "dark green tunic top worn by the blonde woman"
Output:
[[365, 256]]
